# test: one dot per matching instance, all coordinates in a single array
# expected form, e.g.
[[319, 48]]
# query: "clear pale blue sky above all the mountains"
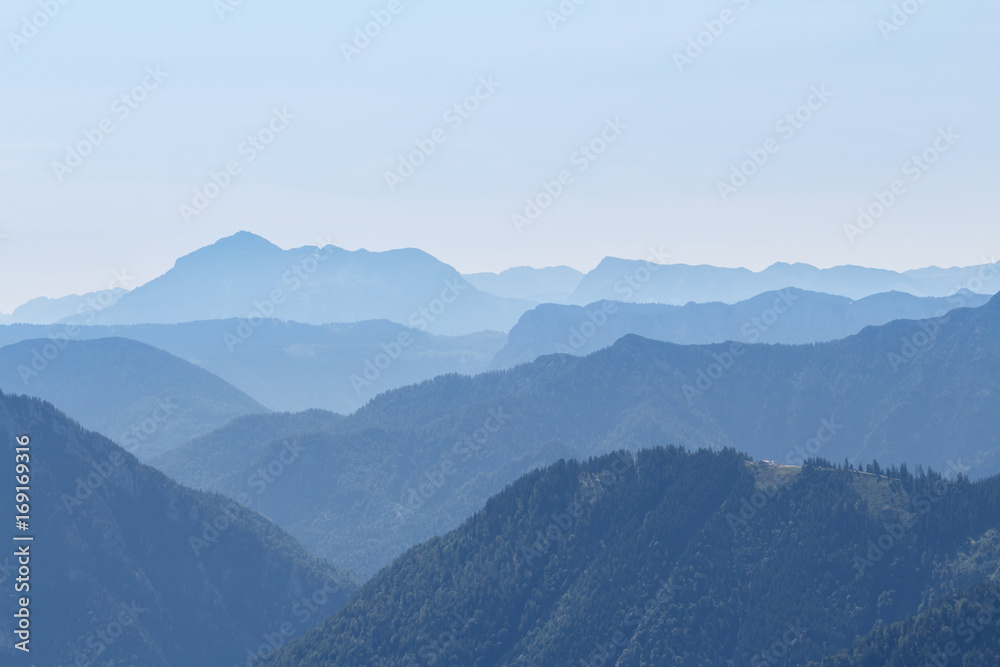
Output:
[[733, 133]]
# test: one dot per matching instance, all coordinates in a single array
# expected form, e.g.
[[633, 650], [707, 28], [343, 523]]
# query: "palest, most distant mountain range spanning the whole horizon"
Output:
[[245, 276]]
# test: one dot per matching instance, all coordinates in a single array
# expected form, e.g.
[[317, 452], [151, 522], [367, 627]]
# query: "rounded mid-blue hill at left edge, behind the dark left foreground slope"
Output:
[[143, 398]]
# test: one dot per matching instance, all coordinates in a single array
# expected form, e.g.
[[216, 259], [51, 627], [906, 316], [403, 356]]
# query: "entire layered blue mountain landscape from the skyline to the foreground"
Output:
[[640, 473]]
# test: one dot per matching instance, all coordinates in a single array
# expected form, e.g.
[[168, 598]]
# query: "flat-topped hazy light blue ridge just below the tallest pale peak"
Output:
[[292, 366]]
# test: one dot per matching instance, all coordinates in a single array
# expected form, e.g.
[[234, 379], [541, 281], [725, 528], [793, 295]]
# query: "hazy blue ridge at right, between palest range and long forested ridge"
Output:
[[791, 316]]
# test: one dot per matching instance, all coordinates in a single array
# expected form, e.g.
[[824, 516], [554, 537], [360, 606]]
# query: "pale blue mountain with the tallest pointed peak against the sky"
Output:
[[245, 276]]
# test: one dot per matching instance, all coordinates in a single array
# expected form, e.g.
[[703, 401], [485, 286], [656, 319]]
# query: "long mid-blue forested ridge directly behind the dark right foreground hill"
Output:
[[415, 462]]
